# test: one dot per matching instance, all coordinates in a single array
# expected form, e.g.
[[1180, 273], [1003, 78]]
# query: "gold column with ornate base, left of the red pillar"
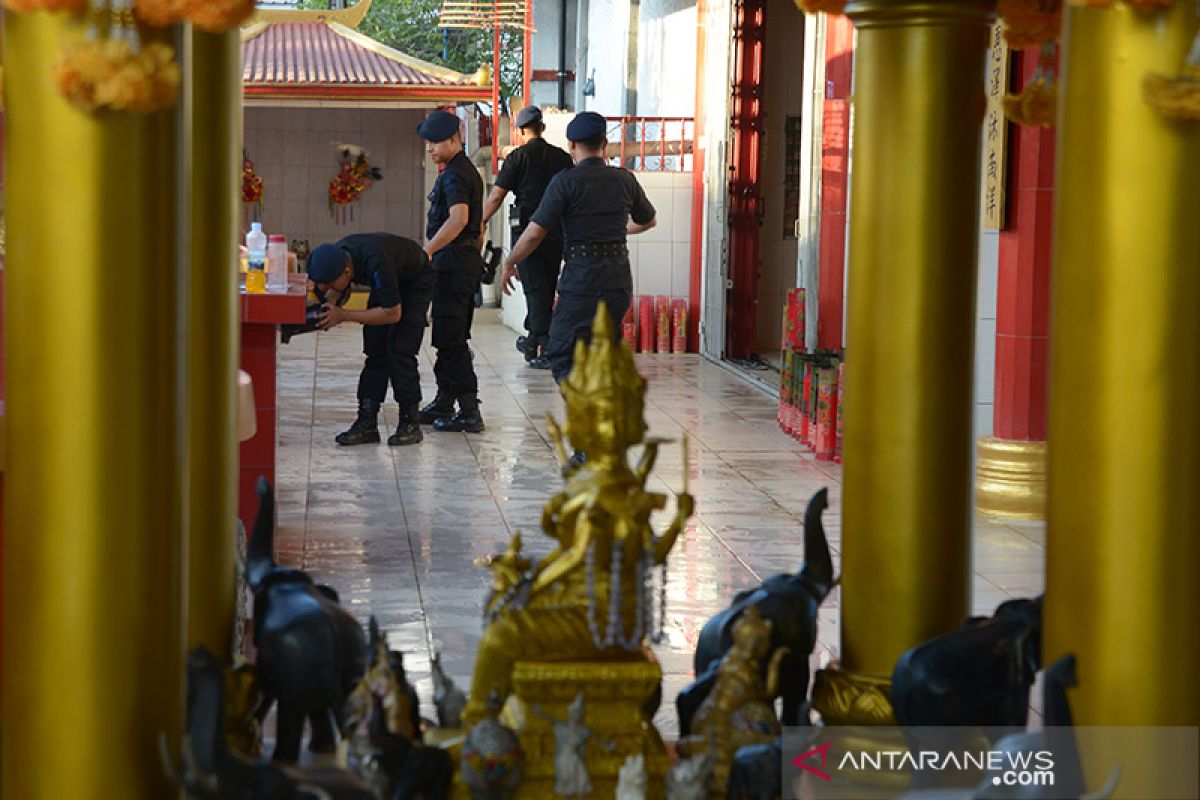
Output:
[[915, 218]]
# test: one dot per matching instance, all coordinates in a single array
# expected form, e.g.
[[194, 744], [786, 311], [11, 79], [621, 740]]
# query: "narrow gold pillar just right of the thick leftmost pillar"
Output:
[[215, 145]]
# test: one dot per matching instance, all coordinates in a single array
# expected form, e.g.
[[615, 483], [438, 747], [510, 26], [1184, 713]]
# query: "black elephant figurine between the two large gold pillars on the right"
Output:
[[979, 676]]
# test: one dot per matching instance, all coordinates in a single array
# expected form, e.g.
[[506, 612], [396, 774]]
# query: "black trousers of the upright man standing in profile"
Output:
[[458, 269]]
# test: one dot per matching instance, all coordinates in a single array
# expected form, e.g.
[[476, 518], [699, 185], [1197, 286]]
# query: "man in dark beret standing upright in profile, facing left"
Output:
[[457, 207]]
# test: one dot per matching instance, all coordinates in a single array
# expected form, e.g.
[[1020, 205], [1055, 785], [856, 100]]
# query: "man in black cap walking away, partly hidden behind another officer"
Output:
[[527, 171]]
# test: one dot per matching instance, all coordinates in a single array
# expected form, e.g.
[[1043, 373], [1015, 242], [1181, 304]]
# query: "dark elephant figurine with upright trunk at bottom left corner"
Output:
[[212, 772]]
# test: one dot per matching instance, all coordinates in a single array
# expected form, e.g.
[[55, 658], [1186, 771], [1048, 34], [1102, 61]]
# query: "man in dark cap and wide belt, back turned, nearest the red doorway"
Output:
[[597, 207]]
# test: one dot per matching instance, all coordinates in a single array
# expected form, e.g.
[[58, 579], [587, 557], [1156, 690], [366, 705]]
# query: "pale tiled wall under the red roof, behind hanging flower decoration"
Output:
[[295, 153]]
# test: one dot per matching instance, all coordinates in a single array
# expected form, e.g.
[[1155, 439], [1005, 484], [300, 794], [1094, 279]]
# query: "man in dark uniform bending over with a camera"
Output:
[[398, 273]]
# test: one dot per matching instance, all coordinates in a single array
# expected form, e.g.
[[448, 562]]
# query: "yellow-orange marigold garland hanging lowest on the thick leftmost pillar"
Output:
[[111, 74]]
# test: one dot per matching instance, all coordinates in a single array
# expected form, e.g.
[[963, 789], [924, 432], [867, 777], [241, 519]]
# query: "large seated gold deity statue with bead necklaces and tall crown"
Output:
[[590, 599]]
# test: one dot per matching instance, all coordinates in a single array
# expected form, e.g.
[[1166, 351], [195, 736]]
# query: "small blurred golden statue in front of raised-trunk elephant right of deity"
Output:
[[740, 711]]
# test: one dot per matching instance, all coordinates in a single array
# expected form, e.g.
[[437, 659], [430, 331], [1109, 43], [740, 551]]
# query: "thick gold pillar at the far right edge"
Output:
[[1124, 515]]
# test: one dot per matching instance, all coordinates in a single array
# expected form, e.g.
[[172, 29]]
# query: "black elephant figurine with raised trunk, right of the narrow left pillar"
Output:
[[311, 652]]
